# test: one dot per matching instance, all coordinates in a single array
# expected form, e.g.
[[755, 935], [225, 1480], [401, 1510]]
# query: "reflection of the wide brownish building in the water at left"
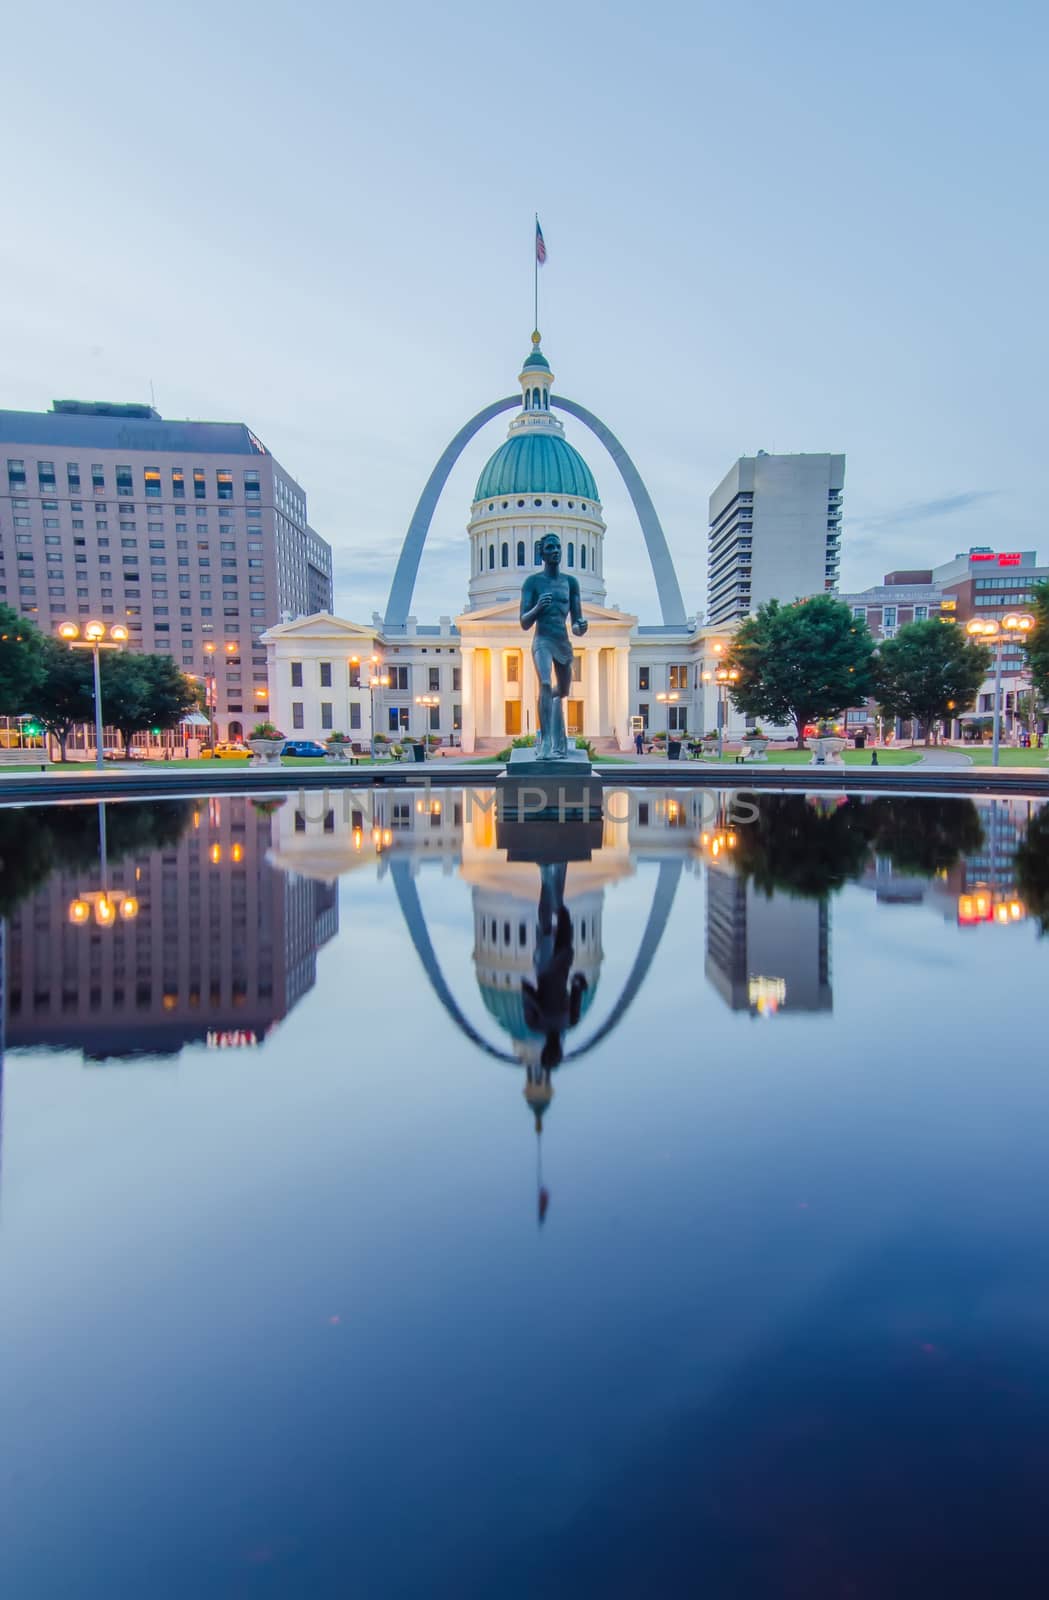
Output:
[[220, 946]]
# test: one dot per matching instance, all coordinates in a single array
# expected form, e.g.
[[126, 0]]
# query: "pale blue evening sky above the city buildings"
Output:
[[796, 228]]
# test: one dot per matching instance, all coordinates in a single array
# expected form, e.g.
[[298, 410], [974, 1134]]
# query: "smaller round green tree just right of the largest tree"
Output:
[[930, 671]]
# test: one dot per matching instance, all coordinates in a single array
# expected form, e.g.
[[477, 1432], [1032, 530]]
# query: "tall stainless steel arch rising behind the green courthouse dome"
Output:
[[402, 590]]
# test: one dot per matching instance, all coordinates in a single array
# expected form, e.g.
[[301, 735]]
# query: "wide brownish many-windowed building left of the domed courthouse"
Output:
[[191, 534]]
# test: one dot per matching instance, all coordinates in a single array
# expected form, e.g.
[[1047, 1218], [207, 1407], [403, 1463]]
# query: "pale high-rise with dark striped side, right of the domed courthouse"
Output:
[[775, 534]]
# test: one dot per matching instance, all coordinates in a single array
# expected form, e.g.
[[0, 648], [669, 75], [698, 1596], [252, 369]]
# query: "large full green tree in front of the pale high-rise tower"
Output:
[[800, 663]]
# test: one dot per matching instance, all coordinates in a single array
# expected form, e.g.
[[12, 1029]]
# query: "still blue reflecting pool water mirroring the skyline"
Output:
[[394, 1207]]
